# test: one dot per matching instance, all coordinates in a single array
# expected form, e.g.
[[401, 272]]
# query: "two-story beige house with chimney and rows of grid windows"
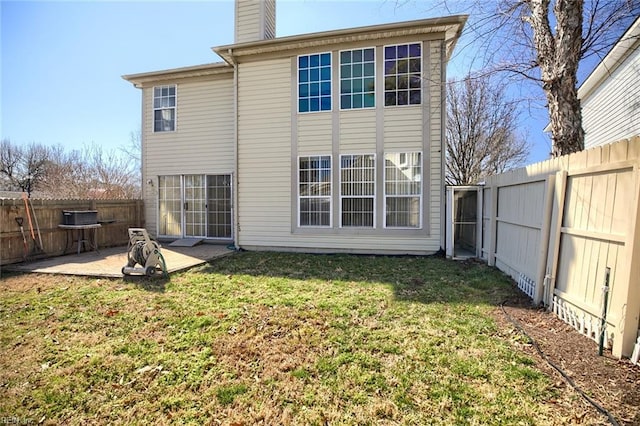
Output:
[[329, 142]]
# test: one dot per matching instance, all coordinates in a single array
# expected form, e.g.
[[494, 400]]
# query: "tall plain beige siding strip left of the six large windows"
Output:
[[264, 153]]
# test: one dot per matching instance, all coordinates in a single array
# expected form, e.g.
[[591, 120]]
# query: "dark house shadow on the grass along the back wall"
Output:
[[425, 279]]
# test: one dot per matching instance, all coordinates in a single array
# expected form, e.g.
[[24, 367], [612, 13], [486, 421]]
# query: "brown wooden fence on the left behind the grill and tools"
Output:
[[116, 217]]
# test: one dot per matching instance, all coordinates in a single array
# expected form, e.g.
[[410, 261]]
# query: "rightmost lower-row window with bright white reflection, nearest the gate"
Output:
[[403, 189]]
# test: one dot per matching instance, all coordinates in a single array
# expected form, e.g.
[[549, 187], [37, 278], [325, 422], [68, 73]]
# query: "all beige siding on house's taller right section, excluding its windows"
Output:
[[269, 147]]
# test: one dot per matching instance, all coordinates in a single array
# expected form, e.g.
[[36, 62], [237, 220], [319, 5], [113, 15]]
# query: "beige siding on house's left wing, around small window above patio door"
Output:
[[203, 142]]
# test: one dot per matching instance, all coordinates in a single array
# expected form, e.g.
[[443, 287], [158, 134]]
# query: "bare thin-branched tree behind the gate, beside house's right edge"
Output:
[[482, 137]]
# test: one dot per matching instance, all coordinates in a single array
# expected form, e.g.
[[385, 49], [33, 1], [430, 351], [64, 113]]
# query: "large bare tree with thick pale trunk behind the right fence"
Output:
[[543, 41]]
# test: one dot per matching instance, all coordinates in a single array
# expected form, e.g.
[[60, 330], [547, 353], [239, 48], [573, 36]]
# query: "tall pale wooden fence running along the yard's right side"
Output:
[[558, 226]]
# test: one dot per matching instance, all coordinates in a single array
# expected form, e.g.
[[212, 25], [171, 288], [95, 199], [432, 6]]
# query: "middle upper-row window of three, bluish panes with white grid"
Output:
[[357, 78]]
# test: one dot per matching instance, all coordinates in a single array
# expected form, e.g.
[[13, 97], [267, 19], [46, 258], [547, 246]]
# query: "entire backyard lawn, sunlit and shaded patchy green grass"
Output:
[[272, 338]]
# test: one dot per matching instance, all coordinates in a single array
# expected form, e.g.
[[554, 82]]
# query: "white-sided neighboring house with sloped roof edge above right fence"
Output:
[[610, 96]]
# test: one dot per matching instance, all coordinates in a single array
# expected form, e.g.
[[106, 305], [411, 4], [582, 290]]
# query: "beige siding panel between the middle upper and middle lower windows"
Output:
[[357, 131]]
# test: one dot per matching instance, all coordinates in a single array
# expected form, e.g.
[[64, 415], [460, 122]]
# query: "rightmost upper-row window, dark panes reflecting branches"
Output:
[[402, 74]]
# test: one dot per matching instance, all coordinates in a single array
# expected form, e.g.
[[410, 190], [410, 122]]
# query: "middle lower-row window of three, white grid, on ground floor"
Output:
[[357, 190]]
